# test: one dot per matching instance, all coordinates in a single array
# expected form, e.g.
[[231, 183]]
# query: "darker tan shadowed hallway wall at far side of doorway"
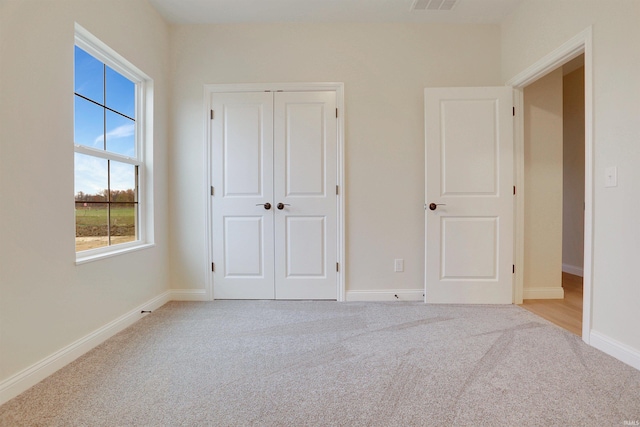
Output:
[[573, 171]]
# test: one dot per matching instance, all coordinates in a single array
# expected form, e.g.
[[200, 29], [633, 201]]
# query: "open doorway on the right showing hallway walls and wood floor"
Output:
[[554, 185]]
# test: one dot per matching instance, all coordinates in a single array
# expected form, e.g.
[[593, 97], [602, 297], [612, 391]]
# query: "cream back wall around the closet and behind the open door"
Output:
[[385, 68]]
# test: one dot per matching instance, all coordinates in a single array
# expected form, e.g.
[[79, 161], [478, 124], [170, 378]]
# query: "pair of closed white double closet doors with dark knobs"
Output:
[[275, 150]]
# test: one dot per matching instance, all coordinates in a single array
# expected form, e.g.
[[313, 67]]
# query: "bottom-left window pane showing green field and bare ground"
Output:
[[92, 230]]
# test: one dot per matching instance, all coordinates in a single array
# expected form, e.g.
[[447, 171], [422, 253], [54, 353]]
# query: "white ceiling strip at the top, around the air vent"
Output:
[[244, 11]]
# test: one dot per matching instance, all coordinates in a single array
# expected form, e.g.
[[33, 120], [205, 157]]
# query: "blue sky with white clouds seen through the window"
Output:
[[103, 129]]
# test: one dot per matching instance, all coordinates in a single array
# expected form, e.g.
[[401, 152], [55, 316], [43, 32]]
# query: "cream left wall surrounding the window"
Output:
[[47, 302]]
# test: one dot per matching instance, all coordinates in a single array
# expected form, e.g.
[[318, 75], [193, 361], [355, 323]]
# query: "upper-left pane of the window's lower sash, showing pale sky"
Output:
[[91, 181]]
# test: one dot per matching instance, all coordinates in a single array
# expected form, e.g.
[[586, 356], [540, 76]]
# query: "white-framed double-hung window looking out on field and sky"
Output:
[[109, 146]]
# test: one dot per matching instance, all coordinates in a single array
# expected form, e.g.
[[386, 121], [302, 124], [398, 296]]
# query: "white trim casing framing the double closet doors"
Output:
[[289, 87]]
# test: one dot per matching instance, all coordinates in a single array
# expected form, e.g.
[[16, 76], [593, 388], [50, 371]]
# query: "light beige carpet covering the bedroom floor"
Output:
[[285, 363]]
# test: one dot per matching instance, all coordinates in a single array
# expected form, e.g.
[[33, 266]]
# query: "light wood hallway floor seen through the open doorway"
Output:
[[567, 312]]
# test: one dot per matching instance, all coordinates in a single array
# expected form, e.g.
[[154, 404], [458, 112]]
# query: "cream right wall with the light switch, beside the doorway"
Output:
[[535, 30]]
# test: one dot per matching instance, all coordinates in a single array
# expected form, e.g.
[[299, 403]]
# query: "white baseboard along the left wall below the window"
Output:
[[16, 384]]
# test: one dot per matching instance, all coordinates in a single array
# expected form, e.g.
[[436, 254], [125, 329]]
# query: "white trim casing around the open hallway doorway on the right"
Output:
[[581, 43]]
